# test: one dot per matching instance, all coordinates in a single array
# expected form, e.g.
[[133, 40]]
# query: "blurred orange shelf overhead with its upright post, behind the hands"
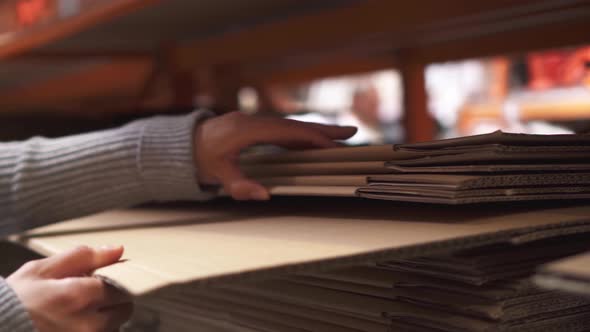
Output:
[[103, 57]]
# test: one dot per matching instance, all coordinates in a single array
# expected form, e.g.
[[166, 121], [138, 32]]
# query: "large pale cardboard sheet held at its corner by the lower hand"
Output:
[[225, 240]]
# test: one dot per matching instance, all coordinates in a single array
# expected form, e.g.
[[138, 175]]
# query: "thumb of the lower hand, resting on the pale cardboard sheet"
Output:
[[81, 261]]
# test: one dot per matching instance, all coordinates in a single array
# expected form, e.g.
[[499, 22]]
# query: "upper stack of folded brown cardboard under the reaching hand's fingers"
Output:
[[484, 168]]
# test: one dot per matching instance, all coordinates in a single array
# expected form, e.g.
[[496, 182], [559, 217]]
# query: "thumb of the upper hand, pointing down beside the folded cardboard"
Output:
[[238, 186]]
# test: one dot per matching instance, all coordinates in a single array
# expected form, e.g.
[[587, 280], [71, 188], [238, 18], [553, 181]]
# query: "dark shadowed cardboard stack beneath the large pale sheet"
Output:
[[473, 290]]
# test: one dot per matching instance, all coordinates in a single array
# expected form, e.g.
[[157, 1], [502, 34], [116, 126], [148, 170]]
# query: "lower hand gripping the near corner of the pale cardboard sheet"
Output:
[[61, 296]]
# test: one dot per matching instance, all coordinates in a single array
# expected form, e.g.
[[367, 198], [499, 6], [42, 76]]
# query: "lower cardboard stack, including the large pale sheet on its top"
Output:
[[338, 264]]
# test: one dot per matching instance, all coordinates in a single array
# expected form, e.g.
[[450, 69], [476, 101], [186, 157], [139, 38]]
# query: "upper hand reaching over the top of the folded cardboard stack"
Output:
[[218, 142]]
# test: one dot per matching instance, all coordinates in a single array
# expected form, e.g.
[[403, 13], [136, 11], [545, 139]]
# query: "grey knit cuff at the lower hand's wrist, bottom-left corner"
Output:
[[13, 315]]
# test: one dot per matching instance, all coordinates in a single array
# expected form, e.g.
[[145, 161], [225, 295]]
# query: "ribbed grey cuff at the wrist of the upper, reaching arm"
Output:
[[166, 158]]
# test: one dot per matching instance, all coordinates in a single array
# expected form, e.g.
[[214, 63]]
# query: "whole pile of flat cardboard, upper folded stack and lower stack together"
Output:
[[333, 263]]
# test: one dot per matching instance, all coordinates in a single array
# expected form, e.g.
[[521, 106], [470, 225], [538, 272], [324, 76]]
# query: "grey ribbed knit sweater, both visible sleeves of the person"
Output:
[[48, 180]]
